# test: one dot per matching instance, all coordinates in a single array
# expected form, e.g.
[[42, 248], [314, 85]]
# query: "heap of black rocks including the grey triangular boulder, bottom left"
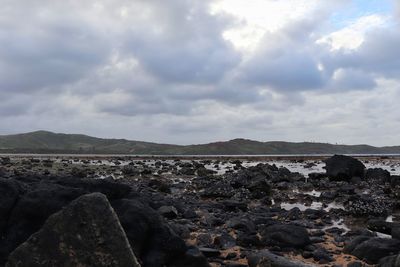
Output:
[[66, 221]]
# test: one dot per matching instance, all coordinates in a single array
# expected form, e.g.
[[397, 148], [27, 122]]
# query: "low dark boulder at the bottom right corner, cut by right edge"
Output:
[[372, 249]]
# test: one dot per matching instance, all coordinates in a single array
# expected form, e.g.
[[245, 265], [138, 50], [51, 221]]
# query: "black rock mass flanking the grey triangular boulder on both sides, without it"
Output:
[[30, 200]]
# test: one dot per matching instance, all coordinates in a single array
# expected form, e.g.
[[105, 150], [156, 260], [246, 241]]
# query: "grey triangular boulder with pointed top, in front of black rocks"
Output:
[[85, 233]]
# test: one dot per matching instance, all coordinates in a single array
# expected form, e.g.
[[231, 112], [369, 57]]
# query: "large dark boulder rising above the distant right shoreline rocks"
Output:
[[341, 167]]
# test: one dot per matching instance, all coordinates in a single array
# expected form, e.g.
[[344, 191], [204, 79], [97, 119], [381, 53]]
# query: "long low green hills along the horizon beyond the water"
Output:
[[48, 142]]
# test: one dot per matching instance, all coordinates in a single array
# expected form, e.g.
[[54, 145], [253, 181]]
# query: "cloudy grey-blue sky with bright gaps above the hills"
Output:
[[191, 71]]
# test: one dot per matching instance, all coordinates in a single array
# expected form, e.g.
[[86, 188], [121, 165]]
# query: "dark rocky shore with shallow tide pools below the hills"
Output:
[[58, 212]]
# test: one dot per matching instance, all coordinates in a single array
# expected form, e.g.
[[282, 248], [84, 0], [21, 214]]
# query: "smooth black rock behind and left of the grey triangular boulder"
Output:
[[30, 200]]
